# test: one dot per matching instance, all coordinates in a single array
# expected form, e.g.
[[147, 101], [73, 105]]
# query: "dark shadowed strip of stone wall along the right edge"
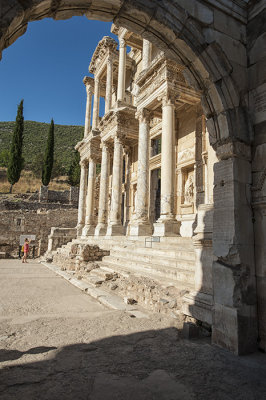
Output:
[[256, 32]]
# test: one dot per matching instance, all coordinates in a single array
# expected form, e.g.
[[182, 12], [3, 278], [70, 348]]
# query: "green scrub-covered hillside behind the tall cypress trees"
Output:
[[35, 136]]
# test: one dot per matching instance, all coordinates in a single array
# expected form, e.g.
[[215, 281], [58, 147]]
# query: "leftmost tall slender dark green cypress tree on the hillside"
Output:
[[15, 164]]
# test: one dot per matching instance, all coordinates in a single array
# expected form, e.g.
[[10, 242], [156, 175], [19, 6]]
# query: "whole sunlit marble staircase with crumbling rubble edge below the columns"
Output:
[[155, 277]]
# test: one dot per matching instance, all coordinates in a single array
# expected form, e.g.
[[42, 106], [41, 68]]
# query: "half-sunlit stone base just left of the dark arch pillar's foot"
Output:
[[198, 305]]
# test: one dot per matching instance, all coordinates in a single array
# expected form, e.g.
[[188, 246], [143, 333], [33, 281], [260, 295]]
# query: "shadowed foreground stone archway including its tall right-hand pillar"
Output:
[[215, 60]]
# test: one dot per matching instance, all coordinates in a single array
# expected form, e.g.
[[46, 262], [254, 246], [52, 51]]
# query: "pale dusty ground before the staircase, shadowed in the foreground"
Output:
[[58, 343]]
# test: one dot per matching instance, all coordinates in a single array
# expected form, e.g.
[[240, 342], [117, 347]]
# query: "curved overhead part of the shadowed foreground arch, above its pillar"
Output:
[[169, 26]]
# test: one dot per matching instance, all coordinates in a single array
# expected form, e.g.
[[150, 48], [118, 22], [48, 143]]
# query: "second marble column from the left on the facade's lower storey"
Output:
[[89, 227]]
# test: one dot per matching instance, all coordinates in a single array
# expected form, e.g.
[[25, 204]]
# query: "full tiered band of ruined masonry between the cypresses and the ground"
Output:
[[35, 215]]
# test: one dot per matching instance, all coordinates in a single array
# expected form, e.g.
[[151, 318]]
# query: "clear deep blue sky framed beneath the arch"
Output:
[[46, 66]]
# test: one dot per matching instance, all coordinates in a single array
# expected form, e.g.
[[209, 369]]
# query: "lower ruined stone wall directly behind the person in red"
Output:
[[31, 220]]
